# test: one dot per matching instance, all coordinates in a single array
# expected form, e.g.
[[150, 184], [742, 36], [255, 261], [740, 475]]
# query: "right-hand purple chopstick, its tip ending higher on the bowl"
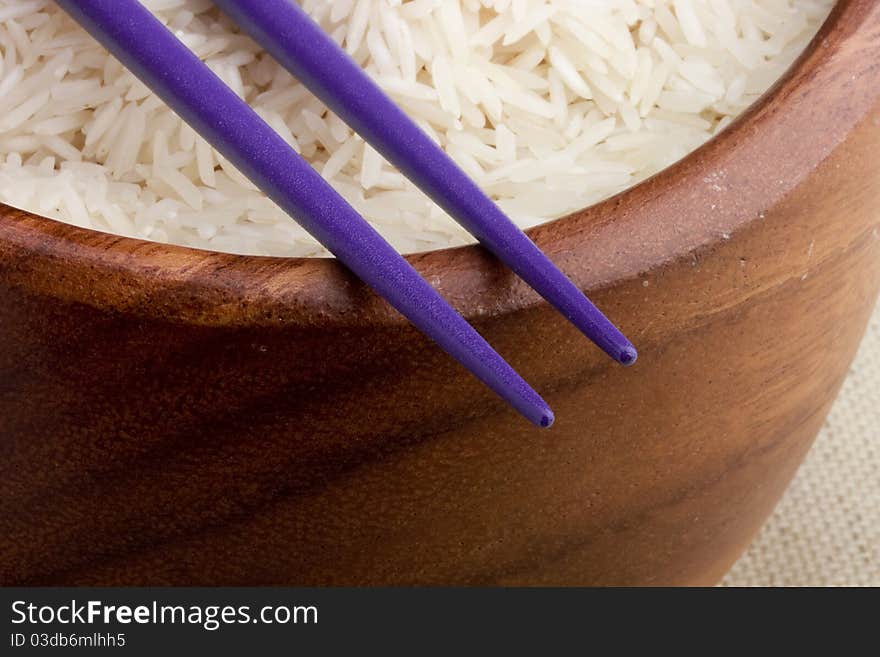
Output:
[[301, 46]]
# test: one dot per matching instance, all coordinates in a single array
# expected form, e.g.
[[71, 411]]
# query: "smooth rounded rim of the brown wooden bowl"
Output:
[[596, 246]]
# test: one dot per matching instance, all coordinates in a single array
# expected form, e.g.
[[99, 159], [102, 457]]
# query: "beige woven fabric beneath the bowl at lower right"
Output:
[[826, 530]]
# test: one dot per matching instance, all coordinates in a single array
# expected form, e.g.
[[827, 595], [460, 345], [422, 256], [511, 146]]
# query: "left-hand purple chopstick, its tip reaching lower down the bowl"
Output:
[[131, 33]]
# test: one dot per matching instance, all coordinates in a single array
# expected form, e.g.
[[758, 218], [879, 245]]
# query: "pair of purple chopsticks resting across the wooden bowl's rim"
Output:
[[148, 49]]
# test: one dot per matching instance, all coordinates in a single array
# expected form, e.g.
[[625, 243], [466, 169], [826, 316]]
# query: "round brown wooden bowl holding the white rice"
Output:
[[171, 416]]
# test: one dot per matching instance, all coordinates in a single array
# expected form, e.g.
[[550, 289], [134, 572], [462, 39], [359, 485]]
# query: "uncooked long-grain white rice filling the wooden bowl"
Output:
[[551, 105]]
